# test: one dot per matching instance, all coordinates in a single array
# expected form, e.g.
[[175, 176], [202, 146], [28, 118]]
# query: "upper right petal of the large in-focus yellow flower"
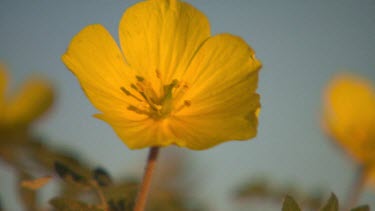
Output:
[[222, 62]]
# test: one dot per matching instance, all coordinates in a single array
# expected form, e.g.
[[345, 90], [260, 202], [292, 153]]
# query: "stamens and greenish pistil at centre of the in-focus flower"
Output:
[[157, 105]]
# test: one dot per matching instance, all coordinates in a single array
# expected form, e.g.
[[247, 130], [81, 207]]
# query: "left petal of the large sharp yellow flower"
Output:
[[95, 59]]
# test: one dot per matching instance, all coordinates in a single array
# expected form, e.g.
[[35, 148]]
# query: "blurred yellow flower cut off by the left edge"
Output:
[[26, 105]]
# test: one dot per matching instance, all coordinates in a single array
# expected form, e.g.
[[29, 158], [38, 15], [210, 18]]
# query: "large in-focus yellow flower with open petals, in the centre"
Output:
[[171, 82]]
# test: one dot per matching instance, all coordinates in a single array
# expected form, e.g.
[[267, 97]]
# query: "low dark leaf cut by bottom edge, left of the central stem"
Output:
[[65, 204]]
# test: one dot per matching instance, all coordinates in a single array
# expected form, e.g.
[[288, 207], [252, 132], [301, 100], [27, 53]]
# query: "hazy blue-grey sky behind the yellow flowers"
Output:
[[302, 45]]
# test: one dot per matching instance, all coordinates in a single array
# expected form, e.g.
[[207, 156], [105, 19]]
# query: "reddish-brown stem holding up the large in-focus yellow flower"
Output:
[[145, 186]]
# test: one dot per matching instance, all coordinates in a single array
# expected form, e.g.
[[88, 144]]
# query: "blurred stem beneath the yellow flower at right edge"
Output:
[[357, 188]]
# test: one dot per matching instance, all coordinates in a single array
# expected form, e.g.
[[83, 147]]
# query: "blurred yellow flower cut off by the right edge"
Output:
[[349, 117]]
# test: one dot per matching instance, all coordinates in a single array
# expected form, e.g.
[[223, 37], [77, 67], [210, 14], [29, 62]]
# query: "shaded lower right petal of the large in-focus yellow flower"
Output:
[[206, 131]]
